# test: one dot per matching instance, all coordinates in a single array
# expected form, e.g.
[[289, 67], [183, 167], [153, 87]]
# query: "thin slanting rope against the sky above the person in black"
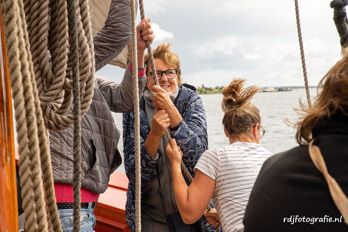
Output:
[[303, 61]]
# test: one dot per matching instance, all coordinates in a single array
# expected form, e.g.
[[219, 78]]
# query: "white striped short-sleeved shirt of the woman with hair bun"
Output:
[[234, 169]]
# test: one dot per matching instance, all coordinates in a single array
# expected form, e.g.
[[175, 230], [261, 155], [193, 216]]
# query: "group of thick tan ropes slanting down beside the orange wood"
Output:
[[34, 160]]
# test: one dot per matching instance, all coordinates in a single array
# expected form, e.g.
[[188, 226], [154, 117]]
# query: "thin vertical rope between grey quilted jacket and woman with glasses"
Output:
[[136, 119]]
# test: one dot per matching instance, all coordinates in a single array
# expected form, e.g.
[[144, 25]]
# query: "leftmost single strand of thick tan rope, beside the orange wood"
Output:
[[10, 12]]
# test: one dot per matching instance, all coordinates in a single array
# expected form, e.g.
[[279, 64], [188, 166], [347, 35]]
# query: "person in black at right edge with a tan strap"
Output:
[[305, 188]]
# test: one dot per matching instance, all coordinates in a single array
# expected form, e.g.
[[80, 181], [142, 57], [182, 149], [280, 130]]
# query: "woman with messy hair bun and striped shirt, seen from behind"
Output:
[[227, 173]]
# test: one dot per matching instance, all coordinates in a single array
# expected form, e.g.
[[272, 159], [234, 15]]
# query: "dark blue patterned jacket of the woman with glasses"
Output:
[[191, 136]]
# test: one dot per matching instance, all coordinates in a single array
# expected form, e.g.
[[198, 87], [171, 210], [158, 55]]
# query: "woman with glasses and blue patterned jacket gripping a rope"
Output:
[[170, 106]]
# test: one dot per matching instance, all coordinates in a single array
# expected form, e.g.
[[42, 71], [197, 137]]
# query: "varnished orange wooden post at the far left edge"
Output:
[[8, 194]]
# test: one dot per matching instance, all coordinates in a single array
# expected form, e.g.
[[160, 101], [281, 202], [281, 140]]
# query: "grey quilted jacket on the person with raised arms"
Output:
[[100, 156]]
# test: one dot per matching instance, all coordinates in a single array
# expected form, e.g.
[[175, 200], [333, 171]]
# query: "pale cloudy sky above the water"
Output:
[[217, 41]]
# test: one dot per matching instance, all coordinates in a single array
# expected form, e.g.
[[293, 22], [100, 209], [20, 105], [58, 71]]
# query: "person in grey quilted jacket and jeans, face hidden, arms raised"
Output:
[[100, 156]]
